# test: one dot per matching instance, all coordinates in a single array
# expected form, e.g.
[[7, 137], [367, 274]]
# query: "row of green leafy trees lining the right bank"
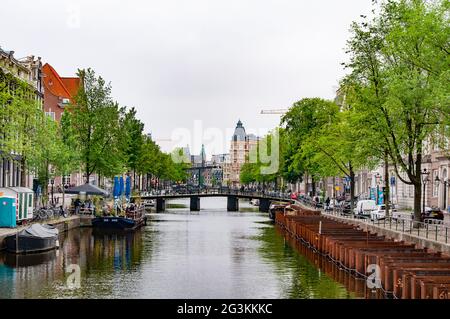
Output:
[[393, 103]]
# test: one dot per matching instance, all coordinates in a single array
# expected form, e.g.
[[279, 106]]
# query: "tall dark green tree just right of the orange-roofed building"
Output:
[[95, 122]]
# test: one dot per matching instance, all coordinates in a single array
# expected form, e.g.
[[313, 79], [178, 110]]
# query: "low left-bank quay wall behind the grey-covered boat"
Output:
[[62, 224]]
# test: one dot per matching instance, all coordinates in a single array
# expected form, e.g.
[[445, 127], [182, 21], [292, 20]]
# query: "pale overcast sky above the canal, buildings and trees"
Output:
[[192, 68]]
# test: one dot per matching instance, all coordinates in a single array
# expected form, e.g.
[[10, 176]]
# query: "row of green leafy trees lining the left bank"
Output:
[[96, 135]]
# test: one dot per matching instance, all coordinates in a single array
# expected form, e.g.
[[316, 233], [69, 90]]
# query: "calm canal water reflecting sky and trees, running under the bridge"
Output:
[[180, 254]]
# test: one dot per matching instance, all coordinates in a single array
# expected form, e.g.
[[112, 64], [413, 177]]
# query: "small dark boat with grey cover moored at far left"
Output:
[[35, 238]]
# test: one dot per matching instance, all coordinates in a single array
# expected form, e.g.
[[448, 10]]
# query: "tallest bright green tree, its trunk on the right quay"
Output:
[[399, 81]]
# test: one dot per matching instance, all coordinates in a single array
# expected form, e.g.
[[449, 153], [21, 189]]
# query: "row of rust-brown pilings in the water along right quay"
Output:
[[399, 269]]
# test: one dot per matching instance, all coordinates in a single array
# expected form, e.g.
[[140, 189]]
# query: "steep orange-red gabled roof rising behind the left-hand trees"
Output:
[[56, 85]]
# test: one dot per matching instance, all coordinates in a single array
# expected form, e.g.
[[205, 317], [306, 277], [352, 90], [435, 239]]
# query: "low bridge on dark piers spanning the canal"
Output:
[[233, 196]]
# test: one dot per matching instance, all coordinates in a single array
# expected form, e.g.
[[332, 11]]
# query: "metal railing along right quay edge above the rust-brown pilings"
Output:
[[429, 229]]
